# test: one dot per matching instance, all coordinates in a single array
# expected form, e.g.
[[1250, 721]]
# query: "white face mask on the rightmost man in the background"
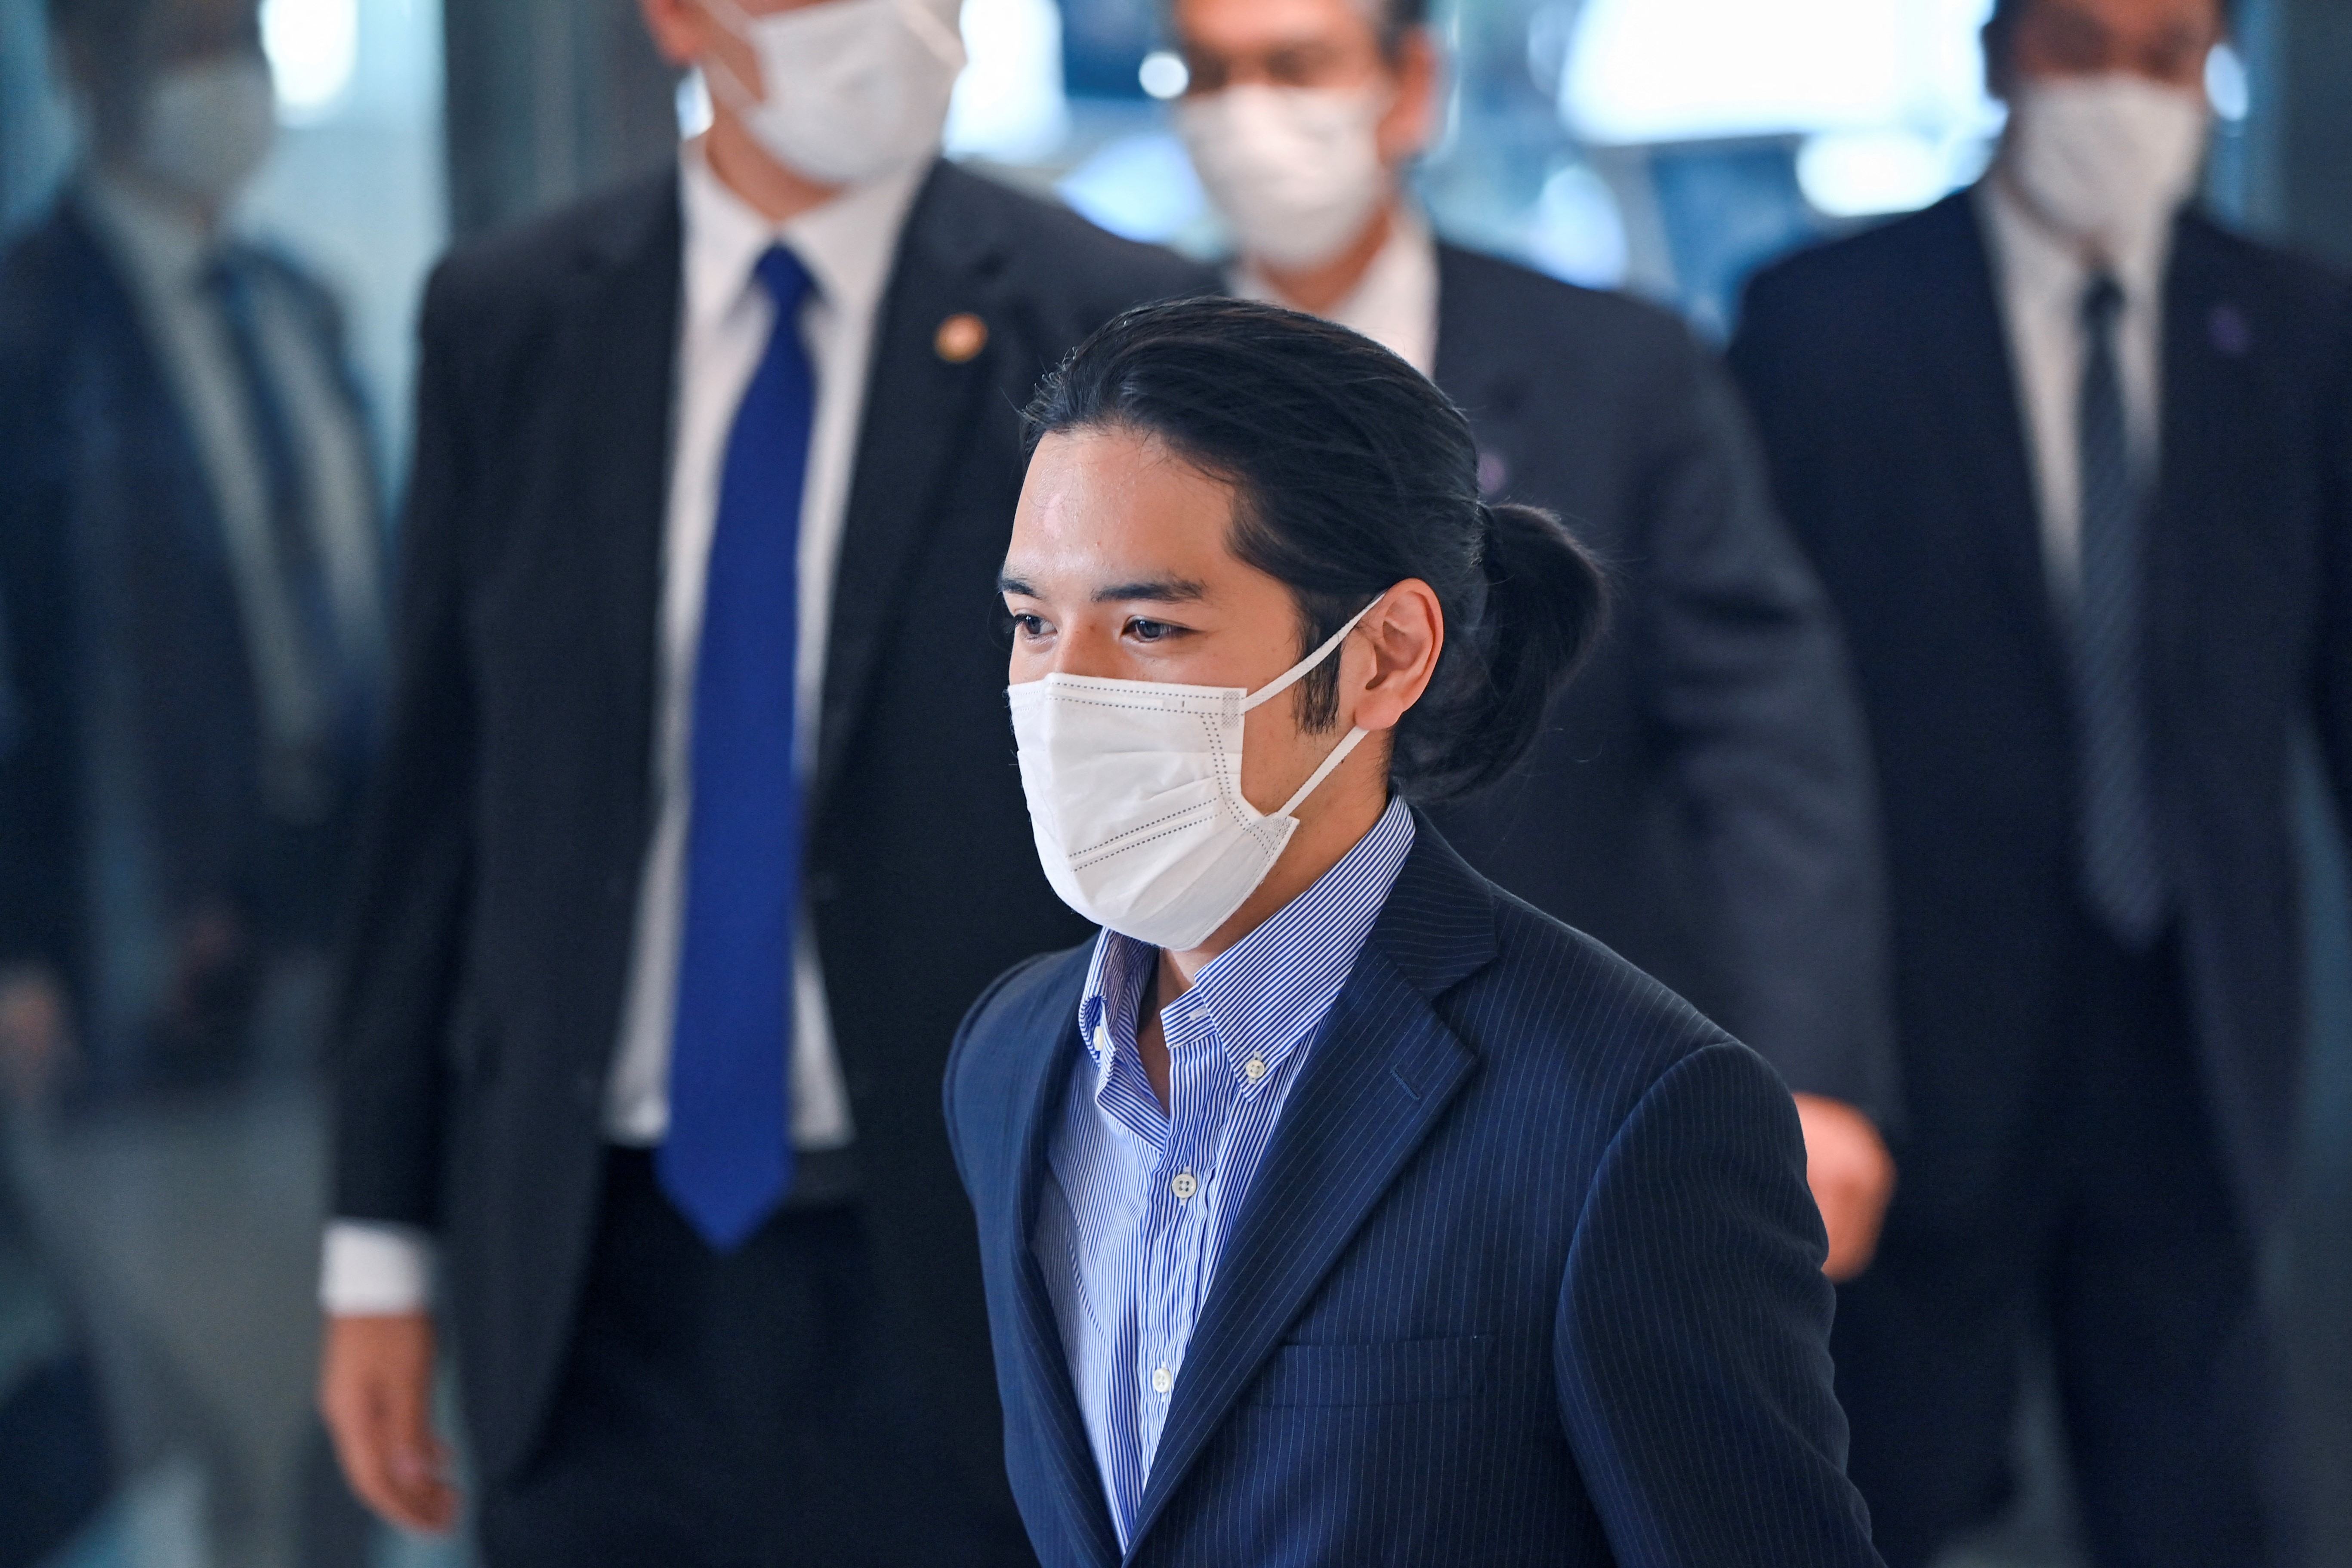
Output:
[[2106, 159]]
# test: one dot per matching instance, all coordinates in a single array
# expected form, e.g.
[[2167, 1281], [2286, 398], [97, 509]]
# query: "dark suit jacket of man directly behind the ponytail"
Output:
[[1702, 798]]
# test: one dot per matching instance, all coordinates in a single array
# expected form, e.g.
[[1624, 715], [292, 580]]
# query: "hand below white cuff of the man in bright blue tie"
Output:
[[375, 1391]]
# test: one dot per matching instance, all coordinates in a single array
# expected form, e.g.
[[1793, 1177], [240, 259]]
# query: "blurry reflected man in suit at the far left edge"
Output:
[[192, 556]]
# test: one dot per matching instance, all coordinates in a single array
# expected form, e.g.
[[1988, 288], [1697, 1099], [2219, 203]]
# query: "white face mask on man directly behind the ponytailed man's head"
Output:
[[1297, 170]]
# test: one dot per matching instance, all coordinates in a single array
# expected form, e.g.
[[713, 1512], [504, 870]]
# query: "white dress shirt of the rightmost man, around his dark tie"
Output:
[[2043, 281]]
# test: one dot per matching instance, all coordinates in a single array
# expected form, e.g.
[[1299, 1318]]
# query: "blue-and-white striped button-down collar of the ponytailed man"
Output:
[[1262, 996]]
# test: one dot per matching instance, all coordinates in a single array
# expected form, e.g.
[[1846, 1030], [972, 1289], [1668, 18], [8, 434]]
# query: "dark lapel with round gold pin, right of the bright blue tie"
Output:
[[918, 410]]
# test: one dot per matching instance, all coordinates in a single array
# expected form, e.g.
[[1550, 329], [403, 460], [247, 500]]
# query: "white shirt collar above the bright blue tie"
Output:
[[846, 243]]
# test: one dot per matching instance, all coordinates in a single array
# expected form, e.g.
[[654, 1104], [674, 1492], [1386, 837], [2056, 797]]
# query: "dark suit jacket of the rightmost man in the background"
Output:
[[1883, 382]]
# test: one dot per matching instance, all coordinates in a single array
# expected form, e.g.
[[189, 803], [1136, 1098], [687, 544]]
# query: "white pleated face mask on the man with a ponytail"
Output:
[[1137, 800]]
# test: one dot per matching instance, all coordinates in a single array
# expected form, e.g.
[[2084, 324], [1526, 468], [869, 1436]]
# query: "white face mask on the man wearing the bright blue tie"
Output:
[[855, 88]]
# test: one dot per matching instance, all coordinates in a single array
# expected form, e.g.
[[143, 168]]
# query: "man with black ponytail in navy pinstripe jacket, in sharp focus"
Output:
[[1335, 1205]]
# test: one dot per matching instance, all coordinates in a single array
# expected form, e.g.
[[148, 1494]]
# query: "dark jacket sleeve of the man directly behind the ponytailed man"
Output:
[[1765, 732]]
